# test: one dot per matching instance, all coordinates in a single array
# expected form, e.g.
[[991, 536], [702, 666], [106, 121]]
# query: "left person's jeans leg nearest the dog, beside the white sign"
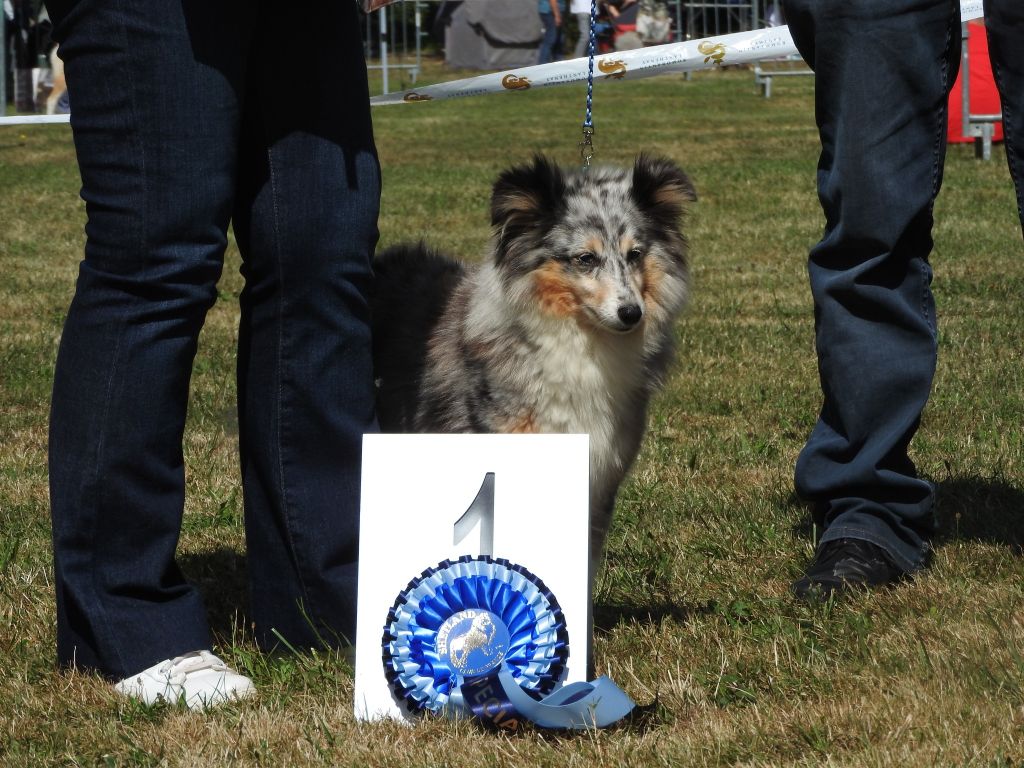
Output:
[[307, 225]]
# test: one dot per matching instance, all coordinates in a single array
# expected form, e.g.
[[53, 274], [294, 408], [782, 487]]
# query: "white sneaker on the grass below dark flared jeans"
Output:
[[199, 680]]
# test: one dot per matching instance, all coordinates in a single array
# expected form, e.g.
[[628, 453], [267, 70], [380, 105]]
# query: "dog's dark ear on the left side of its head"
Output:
[[525, 198]]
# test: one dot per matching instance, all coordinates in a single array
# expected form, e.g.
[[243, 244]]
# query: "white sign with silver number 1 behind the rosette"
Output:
[[416, 488]]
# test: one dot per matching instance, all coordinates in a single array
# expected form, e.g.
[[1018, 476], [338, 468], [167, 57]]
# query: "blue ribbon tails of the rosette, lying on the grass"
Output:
[[499, 702]]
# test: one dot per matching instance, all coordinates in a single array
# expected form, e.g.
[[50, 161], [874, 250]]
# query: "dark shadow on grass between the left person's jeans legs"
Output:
[[221, 576]]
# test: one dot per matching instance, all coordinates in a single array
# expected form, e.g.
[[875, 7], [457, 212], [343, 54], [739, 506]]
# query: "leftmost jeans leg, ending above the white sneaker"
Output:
[[155, 127]]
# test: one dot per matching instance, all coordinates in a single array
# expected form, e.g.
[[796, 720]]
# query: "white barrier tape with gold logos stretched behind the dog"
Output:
[[741, 48]]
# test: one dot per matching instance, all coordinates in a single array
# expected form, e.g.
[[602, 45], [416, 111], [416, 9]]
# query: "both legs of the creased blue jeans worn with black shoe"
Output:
[[884, 69]]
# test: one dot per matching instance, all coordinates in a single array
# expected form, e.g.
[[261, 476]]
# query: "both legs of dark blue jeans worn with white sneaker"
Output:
[[190, 115]]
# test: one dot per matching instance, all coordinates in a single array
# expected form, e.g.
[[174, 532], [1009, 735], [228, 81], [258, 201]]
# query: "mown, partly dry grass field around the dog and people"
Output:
[[693, 607]]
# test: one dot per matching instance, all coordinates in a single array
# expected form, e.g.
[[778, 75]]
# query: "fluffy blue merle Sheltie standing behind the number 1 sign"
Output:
[[568, 326]]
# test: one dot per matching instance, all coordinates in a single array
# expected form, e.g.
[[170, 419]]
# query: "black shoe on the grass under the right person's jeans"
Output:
[[843, 565]]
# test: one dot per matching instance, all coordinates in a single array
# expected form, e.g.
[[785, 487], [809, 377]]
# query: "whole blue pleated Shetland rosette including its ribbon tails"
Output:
[[486, 638]]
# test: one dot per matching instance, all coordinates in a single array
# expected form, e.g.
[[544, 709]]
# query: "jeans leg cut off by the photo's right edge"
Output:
[[1005, 24]]
